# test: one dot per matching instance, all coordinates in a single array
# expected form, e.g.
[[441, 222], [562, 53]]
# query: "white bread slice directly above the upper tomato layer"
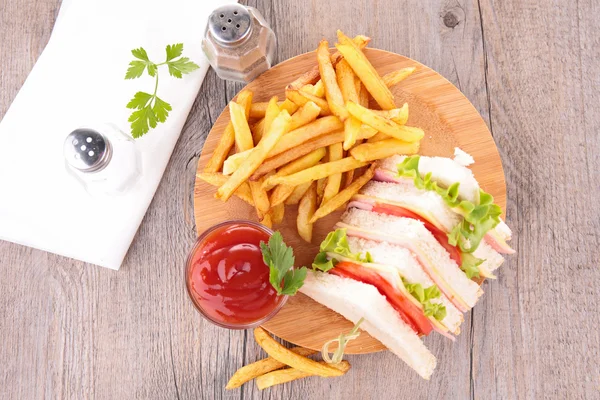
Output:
[[430, 206]]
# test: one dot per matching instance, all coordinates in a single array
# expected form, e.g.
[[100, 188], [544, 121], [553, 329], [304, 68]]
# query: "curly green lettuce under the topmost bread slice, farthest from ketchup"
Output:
[[478, 218]]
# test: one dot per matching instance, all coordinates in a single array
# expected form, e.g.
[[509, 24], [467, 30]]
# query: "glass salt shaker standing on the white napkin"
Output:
[[103, 159]]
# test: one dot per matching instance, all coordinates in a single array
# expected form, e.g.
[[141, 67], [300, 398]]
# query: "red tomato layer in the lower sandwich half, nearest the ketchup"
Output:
[[409, 312]]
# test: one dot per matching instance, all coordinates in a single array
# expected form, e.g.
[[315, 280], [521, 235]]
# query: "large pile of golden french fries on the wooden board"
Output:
[[310, 149]]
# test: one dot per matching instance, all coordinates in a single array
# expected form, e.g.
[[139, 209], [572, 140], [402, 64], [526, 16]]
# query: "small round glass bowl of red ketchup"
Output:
[[227, 277]]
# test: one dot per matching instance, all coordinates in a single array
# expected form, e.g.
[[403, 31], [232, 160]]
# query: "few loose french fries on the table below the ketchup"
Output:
[[283, 365]]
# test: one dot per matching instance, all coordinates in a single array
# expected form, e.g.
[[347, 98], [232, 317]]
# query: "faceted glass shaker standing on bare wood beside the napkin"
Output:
[[238, 43]]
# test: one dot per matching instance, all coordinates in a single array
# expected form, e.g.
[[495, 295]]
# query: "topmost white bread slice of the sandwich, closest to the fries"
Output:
[[443, 170]]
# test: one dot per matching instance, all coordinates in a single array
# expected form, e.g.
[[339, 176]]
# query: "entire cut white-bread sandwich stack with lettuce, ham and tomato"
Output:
[[405, 253]]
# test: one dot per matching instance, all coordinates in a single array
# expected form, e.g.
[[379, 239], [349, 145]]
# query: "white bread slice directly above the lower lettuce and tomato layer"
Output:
[[410, 269]]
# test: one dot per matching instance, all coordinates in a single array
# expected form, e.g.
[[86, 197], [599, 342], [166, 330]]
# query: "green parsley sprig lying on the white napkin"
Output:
[[149, 108]]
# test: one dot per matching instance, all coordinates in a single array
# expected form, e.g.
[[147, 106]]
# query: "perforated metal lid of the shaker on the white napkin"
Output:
[[87, 150]]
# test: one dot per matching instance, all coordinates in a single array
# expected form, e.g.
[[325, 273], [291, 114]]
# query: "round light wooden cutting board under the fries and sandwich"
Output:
[[435, 105]]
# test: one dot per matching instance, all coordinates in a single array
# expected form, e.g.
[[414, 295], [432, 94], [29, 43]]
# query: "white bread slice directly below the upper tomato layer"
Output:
[[411, 234]]
